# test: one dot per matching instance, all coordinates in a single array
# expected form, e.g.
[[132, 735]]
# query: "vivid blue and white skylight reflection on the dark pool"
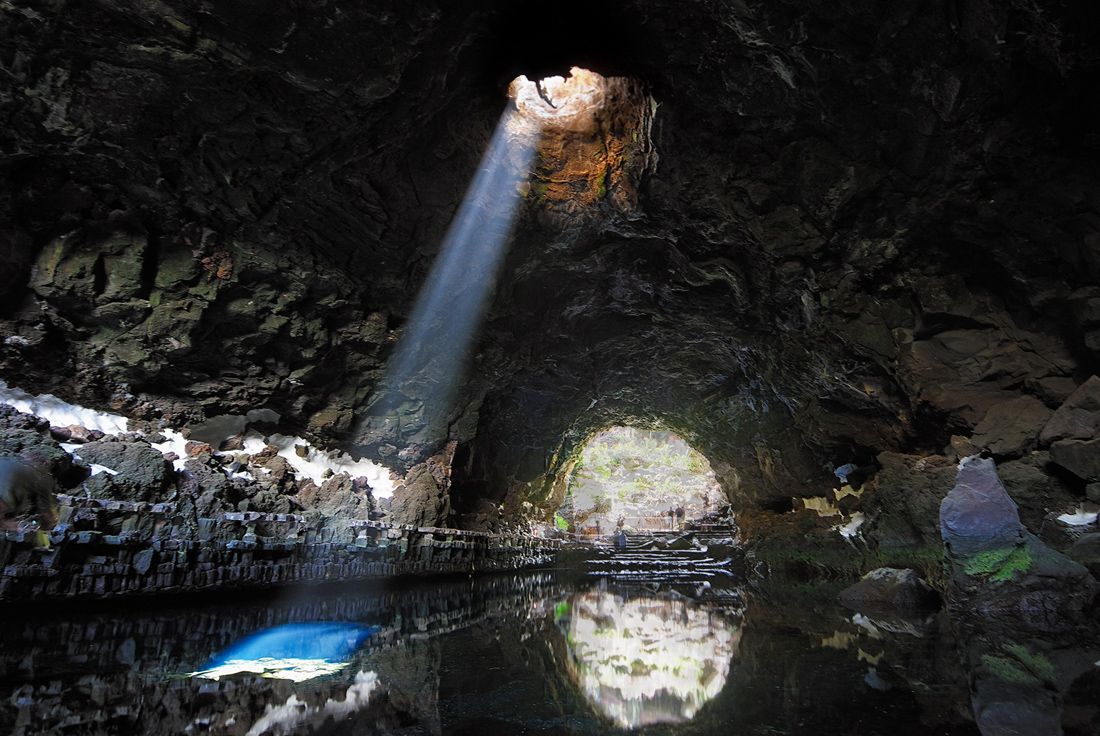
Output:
[[292, 652]]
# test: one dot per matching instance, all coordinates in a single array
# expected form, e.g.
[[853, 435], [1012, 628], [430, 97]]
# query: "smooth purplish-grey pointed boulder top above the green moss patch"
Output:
[[978, 514]]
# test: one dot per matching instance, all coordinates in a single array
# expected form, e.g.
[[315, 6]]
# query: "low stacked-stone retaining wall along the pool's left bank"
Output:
[[109, 548]]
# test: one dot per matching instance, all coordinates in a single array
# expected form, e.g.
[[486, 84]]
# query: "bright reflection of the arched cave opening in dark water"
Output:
[[645, 661]]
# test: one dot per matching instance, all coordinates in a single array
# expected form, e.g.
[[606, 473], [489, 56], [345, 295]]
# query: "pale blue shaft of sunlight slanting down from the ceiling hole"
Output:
[[433, 353]]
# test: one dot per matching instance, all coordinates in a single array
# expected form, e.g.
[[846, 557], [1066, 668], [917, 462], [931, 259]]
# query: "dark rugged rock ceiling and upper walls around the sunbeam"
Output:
[[843, 229]]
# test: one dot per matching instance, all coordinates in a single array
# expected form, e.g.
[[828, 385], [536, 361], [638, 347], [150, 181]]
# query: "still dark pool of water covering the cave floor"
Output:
[[503, 655]]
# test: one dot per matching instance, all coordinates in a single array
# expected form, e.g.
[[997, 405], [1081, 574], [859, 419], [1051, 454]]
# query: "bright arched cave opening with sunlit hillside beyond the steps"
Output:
[[639, 476]]
